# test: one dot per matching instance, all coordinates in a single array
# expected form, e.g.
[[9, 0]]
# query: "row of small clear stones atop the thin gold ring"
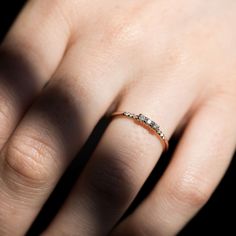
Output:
[[147, 121]]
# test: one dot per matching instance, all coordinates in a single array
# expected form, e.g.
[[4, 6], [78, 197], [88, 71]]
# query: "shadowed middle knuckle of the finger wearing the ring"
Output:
[[111, 180]]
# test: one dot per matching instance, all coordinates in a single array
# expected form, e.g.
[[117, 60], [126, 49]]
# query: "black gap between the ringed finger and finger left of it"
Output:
[[68, 180]]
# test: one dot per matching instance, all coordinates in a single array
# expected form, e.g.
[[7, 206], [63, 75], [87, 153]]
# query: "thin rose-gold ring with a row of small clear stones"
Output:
[[148, 123]]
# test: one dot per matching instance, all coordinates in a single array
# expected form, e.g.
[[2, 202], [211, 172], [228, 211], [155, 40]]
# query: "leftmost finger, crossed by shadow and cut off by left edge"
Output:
[[29, 56]]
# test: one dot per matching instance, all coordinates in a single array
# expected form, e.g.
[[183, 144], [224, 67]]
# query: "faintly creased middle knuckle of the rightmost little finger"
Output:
[[191, 190]]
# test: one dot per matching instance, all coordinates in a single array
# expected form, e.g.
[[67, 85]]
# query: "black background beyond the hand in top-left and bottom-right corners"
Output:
[[216, 218]]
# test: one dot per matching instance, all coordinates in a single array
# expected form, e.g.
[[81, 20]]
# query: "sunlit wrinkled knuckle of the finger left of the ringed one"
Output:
[[30, 158]]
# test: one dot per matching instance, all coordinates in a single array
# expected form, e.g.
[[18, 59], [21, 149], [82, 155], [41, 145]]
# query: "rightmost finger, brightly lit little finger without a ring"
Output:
[[198, 165]]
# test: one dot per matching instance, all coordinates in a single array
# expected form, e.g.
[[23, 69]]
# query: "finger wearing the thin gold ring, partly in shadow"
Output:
[[119, 166]]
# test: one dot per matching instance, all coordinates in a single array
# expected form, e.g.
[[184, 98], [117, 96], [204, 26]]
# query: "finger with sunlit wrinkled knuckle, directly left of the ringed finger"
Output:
[[52, 132]]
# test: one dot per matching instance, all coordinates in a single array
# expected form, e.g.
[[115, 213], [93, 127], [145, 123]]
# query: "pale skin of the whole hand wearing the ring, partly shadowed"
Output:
[[67, 63]]
